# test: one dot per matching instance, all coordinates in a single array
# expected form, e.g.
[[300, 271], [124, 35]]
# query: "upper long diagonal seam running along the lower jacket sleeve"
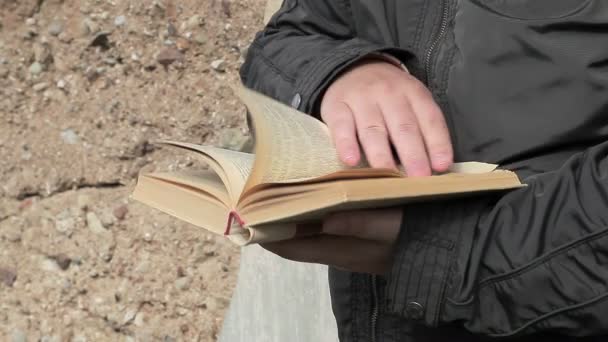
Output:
[[491, 281]]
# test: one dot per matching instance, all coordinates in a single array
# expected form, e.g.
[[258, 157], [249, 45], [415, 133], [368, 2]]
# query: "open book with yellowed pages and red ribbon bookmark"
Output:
[[294, 177]]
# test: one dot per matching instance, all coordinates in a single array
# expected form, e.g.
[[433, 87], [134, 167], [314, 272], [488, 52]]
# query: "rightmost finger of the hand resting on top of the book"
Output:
[[433, 128]]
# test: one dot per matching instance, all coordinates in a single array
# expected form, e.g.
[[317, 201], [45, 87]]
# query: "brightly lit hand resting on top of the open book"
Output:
[[376, 104]]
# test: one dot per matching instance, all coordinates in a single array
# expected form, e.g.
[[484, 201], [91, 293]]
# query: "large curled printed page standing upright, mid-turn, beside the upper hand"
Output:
[[290, 146]]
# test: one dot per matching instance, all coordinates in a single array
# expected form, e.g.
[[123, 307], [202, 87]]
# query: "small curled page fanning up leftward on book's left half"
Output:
[[233, 167]]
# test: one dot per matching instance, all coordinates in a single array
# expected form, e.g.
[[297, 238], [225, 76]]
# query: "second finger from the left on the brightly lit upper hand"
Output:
[[372, 133]]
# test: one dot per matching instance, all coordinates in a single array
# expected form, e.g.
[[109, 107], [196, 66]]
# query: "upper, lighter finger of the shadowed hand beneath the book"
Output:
[[375, 225]]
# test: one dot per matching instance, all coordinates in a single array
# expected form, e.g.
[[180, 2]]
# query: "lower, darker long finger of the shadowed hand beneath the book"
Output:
[[343, 252]]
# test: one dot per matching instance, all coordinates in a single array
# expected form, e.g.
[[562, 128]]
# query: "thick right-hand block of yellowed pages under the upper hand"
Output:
[[276, 205]]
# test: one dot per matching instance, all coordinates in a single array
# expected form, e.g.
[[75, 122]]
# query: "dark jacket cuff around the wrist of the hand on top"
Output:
[[327, 67]]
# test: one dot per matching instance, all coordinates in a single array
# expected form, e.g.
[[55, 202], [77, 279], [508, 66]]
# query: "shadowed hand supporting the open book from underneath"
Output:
[[360, 241]]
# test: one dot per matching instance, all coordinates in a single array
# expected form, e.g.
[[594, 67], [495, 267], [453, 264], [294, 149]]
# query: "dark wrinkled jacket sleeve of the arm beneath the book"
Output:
[[535, 259]]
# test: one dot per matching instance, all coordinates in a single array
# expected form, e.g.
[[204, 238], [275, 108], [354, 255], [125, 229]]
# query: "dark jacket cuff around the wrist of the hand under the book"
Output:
[[424, 255]]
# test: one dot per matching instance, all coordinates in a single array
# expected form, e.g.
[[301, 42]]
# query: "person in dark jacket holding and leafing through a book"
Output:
[[518, 83]]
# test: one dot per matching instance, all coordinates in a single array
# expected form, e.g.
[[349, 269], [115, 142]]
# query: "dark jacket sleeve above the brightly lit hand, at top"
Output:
[[302, 49]]
